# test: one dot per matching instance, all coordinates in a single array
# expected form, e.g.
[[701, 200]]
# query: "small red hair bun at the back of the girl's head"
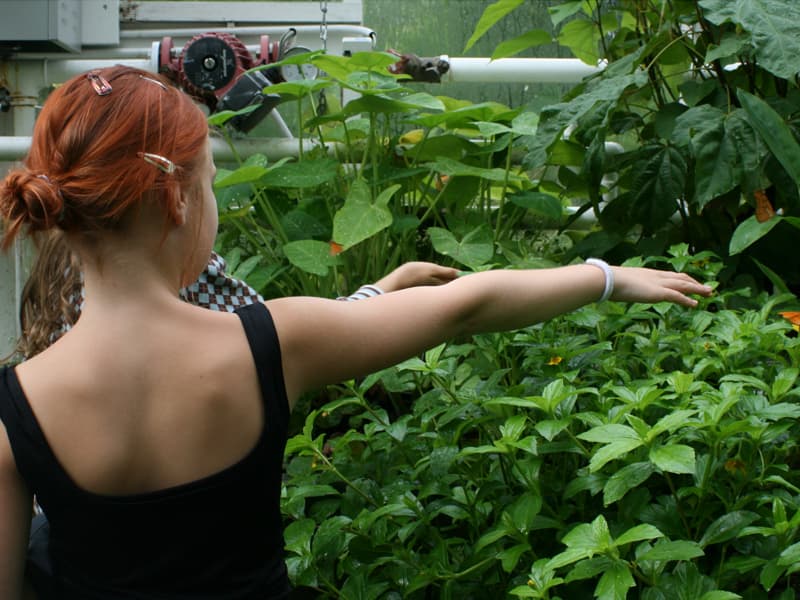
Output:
[[28, 200]]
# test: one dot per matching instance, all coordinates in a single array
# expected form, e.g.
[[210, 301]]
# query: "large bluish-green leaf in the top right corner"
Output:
[[774, 26]]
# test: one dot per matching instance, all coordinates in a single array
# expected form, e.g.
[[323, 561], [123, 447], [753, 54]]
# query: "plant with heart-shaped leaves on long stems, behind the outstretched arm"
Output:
[[412, 176]]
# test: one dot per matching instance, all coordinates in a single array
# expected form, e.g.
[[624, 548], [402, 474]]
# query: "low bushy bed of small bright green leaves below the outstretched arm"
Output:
[[616, 452]]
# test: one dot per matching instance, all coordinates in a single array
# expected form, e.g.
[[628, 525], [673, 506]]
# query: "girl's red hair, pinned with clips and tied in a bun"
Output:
[[85, 170]]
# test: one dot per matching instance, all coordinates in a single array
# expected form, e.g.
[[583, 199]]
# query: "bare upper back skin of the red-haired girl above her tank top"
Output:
[[154, 403]]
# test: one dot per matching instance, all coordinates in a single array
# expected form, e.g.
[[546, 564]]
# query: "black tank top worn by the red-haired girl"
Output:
[[217, 537]]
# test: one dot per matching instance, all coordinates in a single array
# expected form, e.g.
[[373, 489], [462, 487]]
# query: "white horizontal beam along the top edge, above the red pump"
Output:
[[345, 11]]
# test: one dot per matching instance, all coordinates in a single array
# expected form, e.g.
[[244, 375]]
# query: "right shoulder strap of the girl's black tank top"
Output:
[[265, 348]]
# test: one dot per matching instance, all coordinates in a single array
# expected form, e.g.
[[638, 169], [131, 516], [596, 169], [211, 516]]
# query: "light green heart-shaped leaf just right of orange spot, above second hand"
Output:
[[360, 218]]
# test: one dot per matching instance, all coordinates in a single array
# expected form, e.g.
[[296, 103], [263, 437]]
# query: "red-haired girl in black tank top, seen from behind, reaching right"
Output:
[[142, 428]]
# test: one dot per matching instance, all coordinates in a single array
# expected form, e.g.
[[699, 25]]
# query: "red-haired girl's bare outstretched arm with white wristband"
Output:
[[325, 342]]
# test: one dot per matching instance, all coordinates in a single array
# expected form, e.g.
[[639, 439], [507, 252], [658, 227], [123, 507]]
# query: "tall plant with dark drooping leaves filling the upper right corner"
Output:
[[702, 99]]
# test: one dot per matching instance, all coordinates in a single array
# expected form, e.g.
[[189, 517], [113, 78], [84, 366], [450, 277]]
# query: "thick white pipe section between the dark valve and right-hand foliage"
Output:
[[523, 70]]
